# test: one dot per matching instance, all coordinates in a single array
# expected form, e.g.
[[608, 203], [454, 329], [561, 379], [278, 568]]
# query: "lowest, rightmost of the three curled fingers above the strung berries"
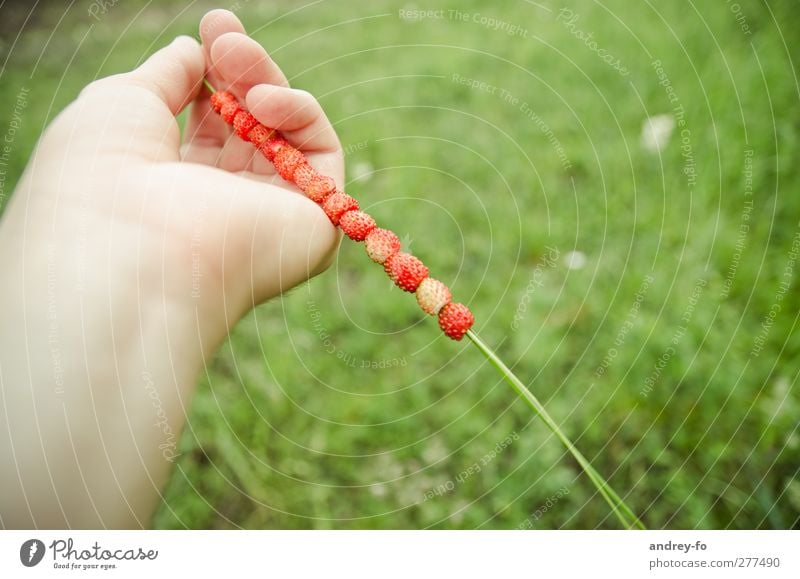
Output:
[[297, 114]]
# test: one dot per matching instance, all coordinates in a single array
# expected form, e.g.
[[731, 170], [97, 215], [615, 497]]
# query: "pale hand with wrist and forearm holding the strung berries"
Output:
[[127, 256]]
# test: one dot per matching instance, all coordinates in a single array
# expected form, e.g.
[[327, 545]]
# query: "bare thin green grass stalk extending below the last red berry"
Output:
[[621, 510]]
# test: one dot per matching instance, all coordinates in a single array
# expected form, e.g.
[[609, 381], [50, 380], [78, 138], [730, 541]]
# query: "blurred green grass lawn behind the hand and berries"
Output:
[[340, 406]]
